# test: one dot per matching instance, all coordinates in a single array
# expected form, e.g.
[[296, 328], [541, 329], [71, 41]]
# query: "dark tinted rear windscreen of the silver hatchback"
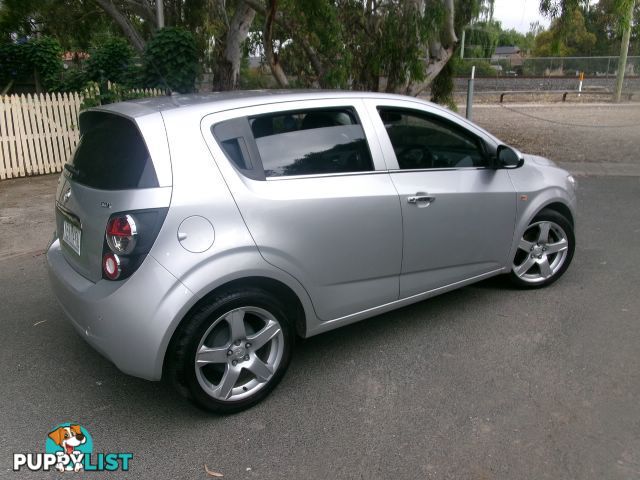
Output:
[[111, 154]]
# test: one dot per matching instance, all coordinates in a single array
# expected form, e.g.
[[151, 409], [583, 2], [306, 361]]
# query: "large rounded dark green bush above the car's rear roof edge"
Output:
[[171, 60]]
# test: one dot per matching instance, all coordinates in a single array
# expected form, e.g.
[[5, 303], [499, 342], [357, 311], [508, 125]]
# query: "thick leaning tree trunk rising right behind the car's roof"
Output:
[[228, 66]]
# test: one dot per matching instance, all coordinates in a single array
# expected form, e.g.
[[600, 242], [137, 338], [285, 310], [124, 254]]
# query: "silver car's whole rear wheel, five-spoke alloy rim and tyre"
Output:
[[234, 351]]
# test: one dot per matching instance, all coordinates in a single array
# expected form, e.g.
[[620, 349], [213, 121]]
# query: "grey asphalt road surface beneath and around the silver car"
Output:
[[486, 382]]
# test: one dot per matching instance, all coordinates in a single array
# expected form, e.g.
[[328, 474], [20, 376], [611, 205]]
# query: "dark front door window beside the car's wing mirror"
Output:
[[423, 141]]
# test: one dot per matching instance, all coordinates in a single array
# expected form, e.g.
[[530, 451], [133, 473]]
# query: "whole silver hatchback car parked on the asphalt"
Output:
[[198, 236]]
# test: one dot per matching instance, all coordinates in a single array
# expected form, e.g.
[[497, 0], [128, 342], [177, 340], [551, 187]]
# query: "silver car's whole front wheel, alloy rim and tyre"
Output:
[[544, 251]]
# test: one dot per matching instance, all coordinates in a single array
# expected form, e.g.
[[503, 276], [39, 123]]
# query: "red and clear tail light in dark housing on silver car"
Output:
[[129, 237]]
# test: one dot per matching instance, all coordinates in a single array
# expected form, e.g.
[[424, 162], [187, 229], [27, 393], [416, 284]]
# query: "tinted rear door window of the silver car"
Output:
[[311, 142]]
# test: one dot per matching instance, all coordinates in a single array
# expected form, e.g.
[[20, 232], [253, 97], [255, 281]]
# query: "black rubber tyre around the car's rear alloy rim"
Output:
[[181, 367]]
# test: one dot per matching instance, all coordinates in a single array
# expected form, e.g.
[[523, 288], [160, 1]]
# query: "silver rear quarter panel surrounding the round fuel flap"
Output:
[[200, 190]]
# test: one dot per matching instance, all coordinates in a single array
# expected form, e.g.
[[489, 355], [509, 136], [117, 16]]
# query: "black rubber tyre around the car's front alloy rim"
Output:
[[566, 227]]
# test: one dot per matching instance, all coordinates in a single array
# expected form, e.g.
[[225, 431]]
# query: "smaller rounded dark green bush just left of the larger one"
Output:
[[111, 61]]
